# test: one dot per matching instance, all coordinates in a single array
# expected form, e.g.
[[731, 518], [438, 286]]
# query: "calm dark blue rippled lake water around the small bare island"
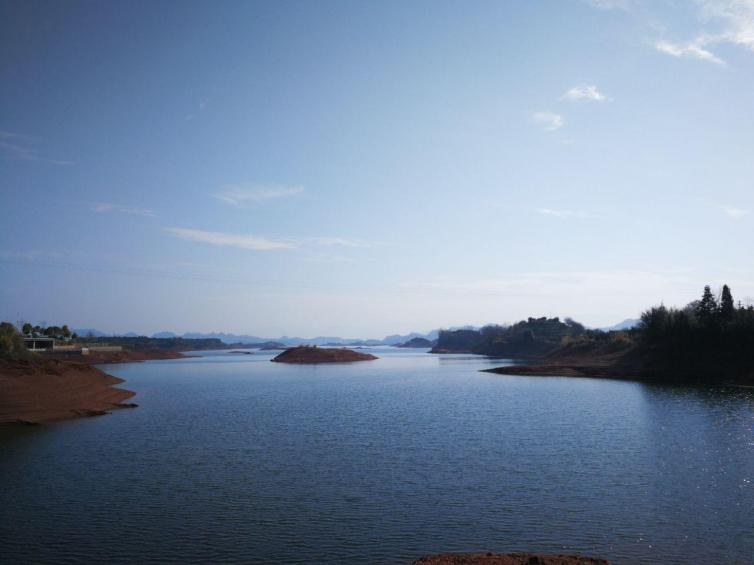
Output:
[[233, 458]]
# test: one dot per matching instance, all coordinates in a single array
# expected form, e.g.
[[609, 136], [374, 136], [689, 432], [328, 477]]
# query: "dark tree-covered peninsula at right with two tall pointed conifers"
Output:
[[708, 341]]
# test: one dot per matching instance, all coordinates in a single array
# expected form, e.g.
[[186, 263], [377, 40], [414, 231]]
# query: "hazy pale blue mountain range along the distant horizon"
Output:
[[394, 339]]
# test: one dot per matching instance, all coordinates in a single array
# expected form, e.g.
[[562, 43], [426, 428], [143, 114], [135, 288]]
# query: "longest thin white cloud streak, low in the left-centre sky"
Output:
[[258, 243]]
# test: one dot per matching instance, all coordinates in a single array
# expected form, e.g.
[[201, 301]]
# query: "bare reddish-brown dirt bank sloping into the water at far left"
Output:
[[44, 390]]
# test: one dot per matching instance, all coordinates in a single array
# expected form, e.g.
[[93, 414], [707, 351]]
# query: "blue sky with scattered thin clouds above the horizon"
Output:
[[364, 168]]
